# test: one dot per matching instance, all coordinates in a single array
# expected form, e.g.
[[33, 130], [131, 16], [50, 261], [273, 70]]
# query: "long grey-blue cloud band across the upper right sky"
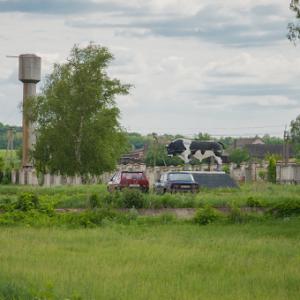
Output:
[[210, 24]]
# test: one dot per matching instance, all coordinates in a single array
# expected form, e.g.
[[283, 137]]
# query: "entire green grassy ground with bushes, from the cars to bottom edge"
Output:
[[104, 253]]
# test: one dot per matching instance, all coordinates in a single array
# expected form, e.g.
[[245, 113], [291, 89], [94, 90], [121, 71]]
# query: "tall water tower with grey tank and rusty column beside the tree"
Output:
[[30, 75]]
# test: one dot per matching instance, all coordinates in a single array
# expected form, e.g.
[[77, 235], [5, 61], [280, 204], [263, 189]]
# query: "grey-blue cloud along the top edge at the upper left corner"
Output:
[[58, 6]]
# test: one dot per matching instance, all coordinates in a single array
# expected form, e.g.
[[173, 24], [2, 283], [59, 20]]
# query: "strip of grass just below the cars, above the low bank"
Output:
[[260, 194]]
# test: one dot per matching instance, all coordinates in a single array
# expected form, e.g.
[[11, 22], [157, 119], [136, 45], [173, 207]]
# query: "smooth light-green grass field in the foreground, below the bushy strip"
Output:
[[177, 261]]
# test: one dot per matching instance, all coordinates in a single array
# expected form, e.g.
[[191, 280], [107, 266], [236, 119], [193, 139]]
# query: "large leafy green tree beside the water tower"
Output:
[[78, 131]]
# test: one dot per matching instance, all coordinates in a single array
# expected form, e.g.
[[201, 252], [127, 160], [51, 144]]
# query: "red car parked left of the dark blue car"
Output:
[[128, 179]]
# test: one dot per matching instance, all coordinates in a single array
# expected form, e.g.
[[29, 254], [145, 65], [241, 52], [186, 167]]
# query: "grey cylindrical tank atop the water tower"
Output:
[[29, 68]]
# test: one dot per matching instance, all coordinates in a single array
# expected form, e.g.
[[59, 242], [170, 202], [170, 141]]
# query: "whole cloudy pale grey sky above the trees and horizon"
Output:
[[223, 67]]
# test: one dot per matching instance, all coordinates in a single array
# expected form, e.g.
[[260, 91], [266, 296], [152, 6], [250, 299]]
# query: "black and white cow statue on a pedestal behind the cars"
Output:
[[186, 149]]
